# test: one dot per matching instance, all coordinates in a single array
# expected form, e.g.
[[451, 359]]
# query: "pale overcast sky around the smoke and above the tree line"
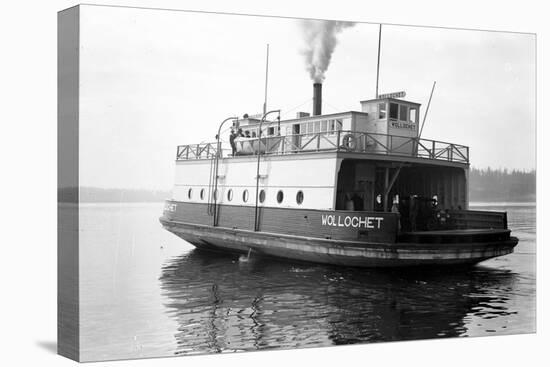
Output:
[[153, 79]]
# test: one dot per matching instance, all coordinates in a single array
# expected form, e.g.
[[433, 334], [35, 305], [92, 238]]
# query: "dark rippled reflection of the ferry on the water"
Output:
[[223, 305]]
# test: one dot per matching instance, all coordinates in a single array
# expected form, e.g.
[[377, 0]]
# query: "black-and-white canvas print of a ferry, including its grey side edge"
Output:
[[238, 183]]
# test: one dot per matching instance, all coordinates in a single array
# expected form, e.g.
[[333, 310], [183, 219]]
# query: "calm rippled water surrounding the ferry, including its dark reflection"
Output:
[[145, 292]]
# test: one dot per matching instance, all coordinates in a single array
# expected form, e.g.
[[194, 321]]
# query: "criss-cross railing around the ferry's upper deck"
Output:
[[339, 141]]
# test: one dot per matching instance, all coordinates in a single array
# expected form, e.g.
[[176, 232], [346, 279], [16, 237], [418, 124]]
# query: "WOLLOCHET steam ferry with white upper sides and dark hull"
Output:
[[357, 188]]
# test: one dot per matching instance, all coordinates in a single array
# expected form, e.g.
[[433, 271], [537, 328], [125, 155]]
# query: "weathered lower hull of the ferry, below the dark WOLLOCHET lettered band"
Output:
[[338, 252]]
